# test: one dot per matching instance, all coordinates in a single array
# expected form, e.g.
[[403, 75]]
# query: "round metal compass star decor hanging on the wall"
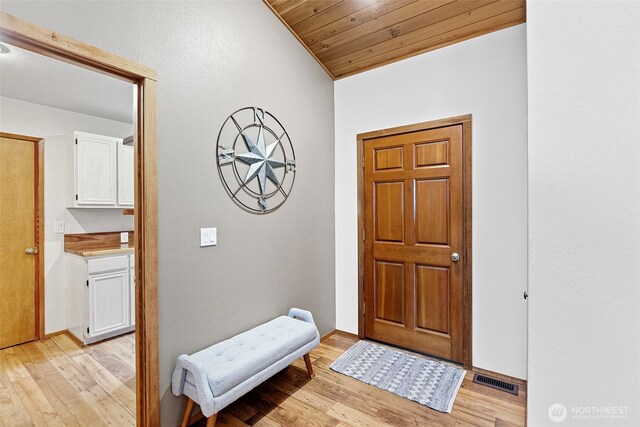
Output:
[[258, 164]]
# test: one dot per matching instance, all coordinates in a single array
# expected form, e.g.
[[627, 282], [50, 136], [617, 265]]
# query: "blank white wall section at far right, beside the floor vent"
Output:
[[584, 209]]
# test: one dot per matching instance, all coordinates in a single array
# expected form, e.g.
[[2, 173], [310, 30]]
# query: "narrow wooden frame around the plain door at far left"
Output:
[[39, 226]]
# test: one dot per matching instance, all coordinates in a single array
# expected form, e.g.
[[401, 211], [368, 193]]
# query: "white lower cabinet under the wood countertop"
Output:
[[99, 294]]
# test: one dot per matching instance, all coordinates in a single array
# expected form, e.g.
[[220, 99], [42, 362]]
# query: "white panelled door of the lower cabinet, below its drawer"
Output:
[[108, 302]]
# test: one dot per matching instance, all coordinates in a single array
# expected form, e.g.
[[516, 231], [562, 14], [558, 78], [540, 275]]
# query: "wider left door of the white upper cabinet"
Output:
[[96, 170]]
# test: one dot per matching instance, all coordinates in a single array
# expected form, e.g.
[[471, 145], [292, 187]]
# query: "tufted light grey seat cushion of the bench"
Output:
[[230, 362]]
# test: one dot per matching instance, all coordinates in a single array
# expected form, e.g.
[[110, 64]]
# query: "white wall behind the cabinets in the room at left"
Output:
[[25, 118]]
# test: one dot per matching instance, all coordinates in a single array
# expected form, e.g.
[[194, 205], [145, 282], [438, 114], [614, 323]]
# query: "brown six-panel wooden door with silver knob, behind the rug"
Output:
[[413, 219]]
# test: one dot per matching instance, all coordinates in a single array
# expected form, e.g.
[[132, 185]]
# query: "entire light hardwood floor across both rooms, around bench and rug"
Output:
[[56, 382]]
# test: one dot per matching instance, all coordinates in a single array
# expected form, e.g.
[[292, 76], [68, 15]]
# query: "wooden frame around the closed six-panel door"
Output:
[[465, 121]]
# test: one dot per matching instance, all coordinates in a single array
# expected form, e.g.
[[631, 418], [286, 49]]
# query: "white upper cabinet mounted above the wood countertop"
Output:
[[100, 172]]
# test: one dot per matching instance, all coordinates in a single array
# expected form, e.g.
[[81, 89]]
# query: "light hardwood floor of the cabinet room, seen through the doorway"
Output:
[[55, 382]]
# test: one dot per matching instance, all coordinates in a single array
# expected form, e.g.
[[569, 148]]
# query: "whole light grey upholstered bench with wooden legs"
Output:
[[220, 374]]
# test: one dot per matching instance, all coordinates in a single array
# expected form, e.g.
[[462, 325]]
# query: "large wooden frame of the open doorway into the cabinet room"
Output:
[[31, 37]]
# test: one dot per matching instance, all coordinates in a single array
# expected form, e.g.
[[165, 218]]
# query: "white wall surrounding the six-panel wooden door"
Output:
[[486, 77]]
